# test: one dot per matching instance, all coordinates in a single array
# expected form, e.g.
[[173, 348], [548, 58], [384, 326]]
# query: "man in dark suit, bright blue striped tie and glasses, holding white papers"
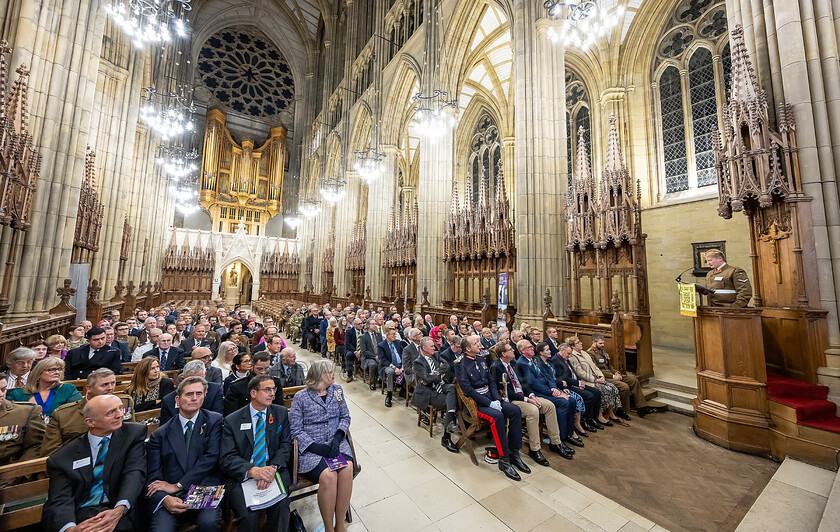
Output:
[[257, 444]]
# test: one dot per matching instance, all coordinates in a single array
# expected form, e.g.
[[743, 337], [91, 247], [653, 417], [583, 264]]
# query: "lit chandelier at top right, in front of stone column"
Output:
[[582, 21]]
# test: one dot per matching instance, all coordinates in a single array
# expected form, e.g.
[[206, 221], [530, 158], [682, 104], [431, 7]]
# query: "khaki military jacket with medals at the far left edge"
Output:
[[21, 431]]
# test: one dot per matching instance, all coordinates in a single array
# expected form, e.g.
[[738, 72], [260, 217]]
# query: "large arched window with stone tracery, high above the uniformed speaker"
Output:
[[692, 65]]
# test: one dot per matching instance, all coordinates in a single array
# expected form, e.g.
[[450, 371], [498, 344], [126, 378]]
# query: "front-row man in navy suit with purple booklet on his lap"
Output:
[[182, 452]]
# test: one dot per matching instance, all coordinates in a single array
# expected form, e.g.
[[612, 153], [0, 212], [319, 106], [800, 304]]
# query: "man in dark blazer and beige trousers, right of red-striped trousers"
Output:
[[507, 379]]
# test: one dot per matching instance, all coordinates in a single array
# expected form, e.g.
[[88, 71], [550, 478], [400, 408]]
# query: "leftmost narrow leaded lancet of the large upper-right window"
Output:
[[673, 130]]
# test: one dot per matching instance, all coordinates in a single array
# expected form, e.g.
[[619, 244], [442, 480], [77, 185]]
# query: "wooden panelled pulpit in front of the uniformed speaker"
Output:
[[731, 407]]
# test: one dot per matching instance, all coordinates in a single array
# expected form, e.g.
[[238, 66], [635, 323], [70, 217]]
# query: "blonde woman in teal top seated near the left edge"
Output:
[[44, 387]]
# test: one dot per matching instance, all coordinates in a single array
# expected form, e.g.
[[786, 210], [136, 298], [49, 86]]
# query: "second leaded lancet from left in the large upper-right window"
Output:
[[701, 78]]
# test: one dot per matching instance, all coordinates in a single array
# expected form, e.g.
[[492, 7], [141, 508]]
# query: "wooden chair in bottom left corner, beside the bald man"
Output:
[[22, 503]]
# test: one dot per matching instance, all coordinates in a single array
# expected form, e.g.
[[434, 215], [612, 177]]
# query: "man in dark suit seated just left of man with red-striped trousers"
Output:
[[431, 390]]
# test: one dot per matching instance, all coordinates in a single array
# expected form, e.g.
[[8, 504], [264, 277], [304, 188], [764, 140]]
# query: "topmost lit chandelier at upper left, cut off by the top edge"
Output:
[[150, 21]]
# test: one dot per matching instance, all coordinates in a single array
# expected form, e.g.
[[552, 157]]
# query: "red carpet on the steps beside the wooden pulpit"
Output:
[[809, 401]]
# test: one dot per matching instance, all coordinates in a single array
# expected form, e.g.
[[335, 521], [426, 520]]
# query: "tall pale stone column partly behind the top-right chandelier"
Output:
[[541, 163]]
